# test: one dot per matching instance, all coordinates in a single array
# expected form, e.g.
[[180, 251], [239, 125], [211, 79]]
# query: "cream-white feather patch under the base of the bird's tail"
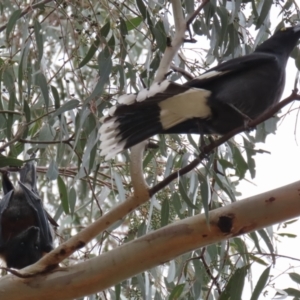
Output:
[[184, 106]]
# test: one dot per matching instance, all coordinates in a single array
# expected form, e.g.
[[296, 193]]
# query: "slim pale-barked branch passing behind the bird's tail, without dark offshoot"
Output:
[[141, 193]]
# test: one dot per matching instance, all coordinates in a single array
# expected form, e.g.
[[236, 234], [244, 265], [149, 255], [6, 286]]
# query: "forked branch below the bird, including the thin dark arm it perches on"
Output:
[[141, 194]]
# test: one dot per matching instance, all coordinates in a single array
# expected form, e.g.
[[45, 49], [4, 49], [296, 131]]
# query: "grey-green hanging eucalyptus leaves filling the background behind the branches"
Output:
[[63, 64]]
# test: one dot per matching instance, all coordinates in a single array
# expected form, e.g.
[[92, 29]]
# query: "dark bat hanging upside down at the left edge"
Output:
[[25, 232]]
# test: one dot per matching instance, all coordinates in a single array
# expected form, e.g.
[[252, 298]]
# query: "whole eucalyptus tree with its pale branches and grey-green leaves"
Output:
[[162, 220]]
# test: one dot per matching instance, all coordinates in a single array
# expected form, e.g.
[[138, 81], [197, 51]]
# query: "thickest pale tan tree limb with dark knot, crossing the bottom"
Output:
[[157, 247]]
